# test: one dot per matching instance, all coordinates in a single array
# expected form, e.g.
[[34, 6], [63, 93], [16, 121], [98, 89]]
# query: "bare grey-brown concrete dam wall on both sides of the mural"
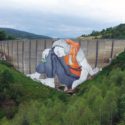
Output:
[[26, 54]]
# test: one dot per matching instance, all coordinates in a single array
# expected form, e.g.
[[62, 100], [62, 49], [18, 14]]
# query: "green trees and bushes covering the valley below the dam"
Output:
[[99, 101]]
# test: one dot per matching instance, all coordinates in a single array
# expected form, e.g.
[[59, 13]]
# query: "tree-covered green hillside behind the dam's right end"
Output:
[[117, 32]]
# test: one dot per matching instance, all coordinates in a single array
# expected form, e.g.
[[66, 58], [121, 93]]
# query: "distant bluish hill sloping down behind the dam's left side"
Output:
[[22, 34]]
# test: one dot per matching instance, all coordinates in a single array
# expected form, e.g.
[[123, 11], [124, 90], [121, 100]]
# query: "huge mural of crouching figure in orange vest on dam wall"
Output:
[[66, 61]]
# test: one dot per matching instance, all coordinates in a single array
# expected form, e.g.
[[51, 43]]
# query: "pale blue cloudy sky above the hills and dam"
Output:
[[61, 18]]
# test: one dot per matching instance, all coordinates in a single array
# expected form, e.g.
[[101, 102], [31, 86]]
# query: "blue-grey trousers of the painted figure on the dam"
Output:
[[55, 65]]
